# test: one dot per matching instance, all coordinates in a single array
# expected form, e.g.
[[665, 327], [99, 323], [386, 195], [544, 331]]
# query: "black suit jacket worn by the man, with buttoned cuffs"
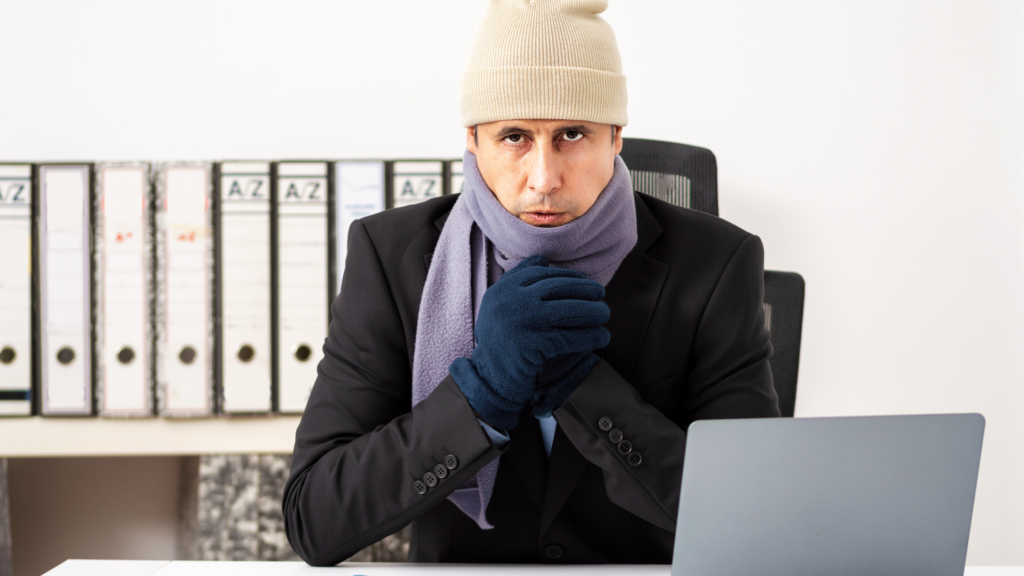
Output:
[[689, 343]]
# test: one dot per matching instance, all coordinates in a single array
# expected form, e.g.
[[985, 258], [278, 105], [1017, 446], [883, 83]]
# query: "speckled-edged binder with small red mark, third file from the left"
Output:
[[123, 260]]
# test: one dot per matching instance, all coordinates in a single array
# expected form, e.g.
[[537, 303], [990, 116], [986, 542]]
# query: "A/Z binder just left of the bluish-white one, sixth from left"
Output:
[[302, 279]]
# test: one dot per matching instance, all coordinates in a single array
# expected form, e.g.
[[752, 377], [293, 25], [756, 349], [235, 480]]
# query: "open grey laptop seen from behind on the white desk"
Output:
[[887, 496]]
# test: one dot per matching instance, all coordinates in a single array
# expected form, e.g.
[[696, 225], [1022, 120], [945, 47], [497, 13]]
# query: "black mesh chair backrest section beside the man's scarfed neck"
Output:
[[681, 175]]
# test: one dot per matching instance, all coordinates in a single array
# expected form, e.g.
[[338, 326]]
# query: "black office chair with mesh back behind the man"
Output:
[[688, 177]]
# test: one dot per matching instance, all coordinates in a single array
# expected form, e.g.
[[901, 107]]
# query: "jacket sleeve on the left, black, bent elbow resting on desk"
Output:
[[362, 449]]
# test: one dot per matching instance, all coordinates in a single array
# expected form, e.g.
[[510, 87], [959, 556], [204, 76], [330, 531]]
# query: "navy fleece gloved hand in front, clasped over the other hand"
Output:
[[534, 313]]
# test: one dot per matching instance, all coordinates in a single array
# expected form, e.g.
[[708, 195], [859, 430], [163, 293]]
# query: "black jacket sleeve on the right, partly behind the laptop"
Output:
[[730, 379]]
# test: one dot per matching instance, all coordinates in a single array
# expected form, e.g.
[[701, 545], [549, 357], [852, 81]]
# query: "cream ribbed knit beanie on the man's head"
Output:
[[546, 60]]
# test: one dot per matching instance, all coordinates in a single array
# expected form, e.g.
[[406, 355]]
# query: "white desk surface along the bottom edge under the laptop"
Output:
[[163, 568]]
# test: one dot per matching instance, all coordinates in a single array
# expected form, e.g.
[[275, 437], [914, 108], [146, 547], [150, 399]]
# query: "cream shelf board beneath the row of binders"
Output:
[[156, 437]]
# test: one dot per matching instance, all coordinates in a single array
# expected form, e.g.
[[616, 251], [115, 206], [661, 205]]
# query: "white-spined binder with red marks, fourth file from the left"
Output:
[[185, 290]]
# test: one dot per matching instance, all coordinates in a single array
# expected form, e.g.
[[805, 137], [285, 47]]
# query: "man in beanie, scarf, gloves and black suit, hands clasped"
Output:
[[514, 371]]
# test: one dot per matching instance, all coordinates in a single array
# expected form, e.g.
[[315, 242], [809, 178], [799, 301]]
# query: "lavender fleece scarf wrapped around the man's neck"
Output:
[[594, 244]]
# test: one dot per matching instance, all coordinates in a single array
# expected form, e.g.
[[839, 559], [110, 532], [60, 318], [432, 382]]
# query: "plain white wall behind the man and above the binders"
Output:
[[877, 148]]
